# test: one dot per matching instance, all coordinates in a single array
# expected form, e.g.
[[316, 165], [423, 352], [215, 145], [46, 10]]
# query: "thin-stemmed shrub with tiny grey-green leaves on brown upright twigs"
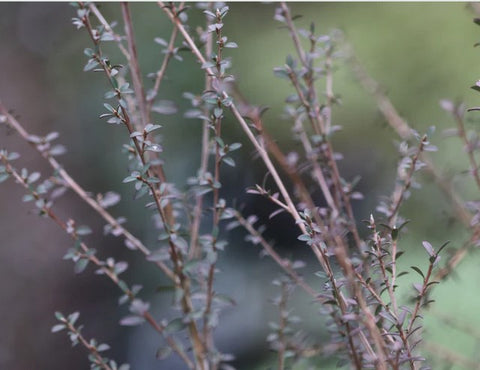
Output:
[[369, 324]]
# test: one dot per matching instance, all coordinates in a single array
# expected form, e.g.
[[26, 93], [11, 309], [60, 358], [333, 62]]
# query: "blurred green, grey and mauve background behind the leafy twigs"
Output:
[[419, 52]]
